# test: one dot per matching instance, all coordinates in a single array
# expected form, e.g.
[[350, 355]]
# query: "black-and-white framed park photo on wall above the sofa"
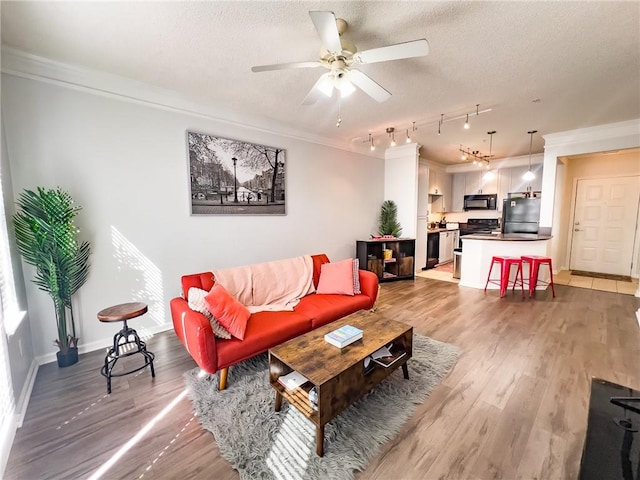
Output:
[[234, 177]]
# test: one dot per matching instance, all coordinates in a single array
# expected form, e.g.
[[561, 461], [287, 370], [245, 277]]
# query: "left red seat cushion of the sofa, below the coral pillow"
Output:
[[264, 331]]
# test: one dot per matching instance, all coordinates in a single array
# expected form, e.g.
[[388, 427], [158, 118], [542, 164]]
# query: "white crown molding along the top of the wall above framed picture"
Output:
[[25, 65]]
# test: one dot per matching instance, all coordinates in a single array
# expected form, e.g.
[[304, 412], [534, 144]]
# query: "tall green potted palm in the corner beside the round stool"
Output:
[[47, 239]]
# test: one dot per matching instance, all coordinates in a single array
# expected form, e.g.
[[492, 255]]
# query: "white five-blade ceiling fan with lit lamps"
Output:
[[339, 55]]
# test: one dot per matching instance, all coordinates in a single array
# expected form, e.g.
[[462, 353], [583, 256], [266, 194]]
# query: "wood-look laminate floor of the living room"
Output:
[[514, 406]]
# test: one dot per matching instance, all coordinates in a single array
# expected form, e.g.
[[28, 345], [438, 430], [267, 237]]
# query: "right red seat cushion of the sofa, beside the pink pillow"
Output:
[[323, 309]]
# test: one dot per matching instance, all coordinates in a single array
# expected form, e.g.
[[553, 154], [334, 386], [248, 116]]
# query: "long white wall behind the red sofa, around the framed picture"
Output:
[[125, 162]]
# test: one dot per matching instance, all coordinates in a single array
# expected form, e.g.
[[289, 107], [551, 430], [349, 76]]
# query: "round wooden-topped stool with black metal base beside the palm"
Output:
[[126, 336]]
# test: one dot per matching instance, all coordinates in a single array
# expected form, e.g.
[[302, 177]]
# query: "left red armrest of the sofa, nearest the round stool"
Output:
[[194, 331]]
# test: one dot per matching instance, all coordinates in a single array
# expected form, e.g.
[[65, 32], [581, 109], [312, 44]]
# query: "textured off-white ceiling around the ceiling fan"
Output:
[[580, 61]]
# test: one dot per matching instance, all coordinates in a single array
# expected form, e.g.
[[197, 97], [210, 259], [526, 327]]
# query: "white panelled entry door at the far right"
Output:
[[605, 217]]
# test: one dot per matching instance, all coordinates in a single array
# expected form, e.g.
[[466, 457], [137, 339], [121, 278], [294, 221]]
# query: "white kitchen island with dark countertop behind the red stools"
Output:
[[478, 249]]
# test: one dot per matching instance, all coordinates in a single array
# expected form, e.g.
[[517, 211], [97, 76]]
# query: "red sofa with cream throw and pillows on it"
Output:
[[264, 329]]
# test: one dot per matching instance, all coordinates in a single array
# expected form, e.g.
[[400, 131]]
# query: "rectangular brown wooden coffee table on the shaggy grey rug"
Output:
[[338, 373]]
